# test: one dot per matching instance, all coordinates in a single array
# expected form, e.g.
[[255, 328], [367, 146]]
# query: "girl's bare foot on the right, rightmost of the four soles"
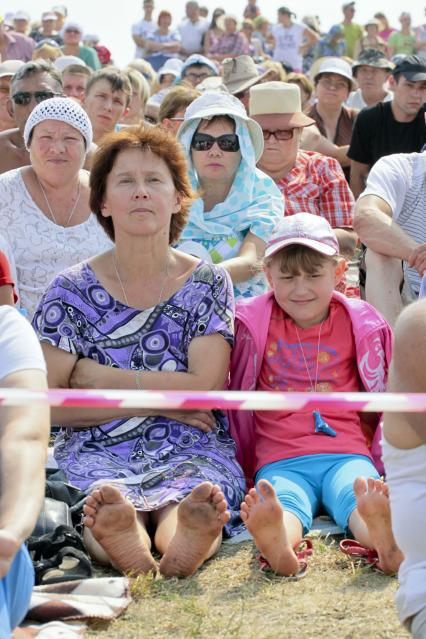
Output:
[[372, 498]]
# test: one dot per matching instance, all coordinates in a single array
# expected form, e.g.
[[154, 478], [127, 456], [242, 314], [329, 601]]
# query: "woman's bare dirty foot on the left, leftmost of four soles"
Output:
[[112, 520]]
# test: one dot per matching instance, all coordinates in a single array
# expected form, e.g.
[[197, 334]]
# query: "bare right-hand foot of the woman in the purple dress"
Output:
[[201, 517]]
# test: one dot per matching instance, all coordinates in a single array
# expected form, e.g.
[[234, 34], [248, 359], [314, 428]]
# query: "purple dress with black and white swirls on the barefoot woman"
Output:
[[153, 460]]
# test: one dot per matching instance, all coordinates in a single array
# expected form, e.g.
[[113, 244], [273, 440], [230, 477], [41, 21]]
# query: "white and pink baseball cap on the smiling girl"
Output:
[[303, 228]]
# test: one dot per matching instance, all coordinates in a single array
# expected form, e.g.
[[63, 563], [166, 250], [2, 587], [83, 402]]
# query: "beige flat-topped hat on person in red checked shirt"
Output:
[[279, 98]]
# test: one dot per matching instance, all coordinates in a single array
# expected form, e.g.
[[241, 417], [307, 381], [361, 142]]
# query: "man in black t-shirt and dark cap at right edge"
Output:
[[397, 126]]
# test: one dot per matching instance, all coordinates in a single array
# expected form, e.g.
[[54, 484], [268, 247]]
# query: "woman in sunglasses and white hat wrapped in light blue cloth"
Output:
[[239, 204]]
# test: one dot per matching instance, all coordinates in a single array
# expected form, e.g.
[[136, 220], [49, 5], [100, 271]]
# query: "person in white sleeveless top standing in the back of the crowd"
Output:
[[289, 37]]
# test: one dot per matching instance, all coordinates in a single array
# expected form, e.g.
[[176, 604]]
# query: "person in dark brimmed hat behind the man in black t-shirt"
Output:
[[371, 72]]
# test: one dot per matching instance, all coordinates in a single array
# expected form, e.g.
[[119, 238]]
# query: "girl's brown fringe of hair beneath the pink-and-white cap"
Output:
[[296, 259]]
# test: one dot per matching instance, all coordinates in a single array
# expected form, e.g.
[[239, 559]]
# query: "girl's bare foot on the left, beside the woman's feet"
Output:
[[263, 516]]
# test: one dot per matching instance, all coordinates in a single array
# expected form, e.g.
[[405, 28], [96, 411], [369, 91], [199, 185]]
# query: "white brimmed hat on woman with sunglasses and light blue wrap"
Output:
[[213, 103]]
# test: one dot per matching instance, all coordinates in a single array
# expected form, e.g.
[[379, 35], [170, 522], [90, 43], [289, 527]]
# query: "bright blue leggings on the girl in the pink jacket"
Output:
[[311, 483]]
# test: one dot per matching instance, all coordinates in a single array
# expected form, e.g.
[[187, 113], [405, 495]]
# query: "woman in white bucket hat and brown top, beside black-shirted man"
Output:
[[333, 83]]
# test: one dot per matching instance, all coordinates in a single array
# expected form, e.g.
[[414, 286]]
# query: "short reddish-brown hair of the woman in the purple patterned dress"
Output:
[[165, 146]]
